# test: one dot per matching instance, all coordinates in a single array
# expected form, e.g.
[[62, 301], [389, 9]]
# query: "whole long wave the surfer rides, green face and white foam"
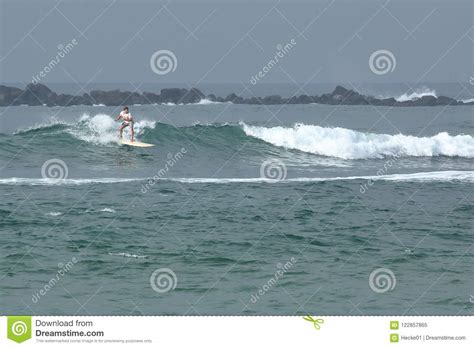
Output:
[[341, 143]]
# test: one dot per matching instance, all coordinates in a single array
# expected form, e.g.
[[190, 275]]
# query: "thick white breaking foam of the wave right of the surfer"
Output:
[[349, 144]]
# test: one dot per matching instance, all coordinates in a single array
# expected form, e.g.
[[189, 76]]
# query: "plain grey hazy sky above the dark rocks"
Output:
[[229, 41]]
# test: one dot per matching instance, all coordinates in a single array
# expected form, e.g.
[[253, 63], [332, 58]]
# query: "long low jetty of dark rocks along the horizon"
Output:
[[38, 94]]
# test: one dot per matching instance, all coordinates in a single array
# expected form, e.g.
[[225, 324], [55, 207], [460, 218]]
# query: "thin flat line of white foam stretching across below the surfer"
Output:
[[438, 176]]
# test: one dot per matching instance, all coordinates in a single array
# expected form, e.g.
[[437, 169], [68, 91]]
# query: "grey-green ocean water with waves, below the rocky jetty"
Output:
[[237, 210]]
